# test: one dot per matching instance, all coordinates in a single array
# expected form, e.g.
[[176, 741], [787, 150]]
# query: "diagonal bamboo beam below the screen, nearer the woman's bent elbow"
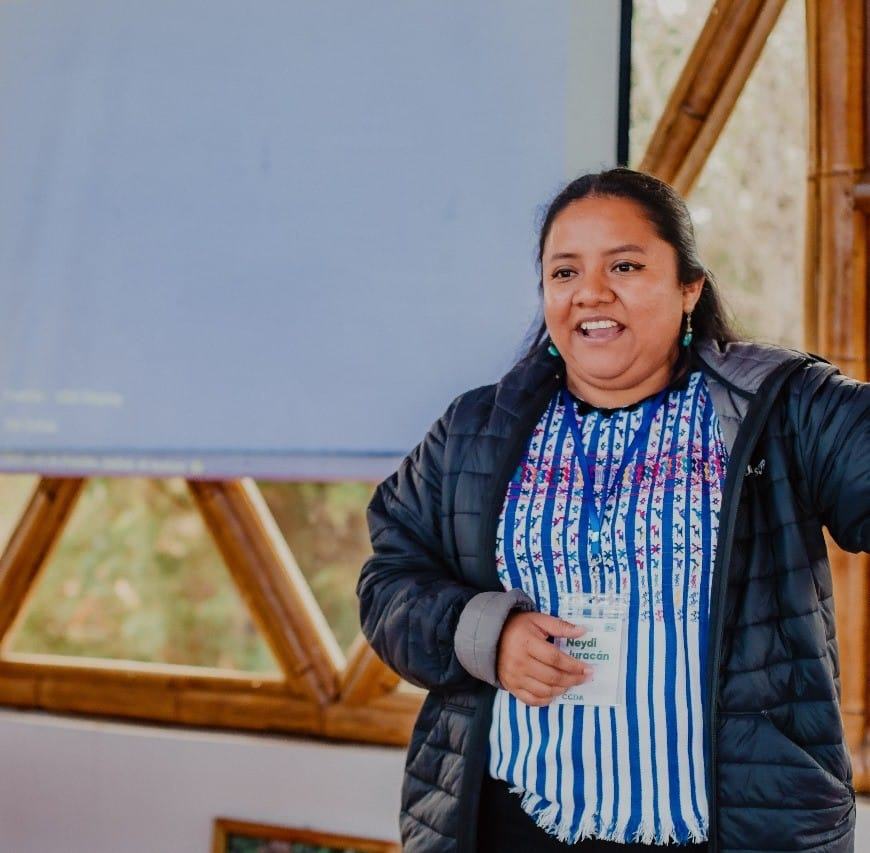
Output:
[[272, 585]]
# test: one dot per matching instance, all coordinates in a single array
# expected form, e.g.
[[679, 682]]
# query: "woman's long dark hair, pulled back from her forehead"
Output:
[[669, 215]]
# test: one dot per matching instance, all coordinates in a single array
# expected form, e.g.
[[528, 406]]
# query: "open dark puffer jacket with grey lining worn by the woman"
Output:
[[798, 432]]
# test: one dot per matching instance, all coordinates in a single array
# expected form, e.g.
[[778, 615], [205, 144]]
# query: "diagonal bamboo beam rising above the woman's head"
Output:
[[708, 88]]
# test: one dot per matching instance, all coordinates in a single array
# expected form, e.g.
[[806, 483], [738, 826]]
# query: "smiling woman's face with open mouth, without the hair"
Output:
[[603, 261]]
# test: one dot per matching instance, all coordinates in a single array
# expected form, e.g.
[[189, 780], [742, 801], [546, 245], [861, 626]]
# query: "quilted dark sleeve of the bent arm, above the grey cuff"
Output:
[[410, 602]]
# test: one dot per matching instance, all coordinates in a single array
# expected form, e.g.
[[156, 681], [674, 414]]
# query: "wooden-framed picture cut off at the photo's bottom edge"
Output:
[[236, 836]]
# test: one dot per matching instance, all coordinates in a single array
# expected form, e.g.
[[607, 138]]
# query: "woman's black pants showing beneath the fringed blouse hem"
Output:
[[503, 827]]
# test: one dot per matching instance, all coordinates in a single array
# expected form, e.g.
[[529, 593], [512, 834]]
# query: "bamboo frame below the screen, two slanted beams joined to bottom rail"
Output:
[[316, 692]]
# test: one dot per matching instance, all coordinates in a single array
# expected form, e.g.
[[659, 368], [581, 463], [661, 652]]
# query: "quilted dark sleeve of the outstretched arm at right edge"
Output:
[[833, 420]]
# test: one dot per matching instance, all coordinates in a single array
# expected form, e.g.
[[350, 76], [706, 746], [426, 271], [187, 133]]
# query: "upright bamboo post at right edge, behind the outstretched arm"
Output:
[[836, 294]]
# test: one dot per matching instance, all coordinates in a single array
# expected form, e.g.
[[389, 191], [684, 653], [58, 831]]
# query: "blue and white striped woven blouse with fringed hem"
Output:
[[634, 772]]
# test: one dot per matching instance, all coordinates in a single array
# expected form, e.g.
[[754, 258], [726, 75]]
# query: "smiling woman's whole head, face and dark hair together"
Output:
[[617, 251]]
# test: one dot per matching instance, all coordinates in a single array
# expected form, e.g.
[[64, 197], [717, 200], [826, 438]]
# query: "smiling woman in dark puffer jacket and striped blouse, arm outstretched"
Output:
[[640, 451]]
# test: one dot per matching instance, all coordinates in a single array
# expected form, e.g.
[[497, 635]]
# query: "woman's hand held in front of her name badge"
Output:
[[531, 668]]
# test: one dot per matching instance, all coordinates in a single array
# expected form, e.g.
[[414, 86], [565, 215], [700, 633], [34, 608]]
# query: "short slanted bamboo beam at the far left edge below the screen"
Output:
[[27, 552]]
